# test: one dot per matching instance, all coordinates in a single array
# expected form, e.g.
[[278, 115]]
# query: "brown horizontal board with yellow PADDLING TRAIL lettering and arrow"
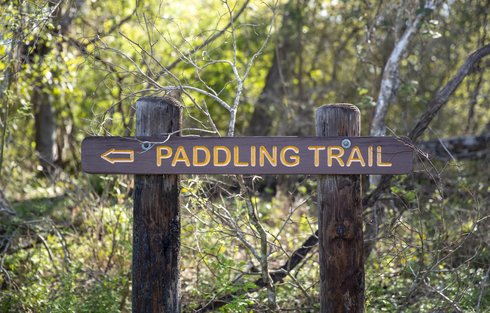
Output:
[[247, 155]]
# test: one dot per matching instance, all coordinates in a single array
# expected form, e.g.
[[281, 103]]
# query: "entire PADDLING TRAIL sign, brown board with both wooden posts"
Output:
[[338, 161]]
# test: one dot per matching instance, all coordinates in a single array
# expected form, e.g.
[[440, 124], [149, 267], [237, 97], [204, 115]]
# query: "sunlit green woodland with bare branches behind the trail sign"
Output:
[[74, 68]]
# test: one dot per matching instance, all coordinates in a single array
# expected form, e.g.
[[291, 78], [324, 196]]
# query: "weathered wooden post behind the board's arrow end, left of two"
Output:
[[156, 225]]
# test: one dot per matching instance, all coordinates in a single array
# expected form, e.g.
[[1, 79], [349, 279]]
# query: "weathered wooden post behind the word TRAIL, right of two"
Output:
[[340, 220]]
